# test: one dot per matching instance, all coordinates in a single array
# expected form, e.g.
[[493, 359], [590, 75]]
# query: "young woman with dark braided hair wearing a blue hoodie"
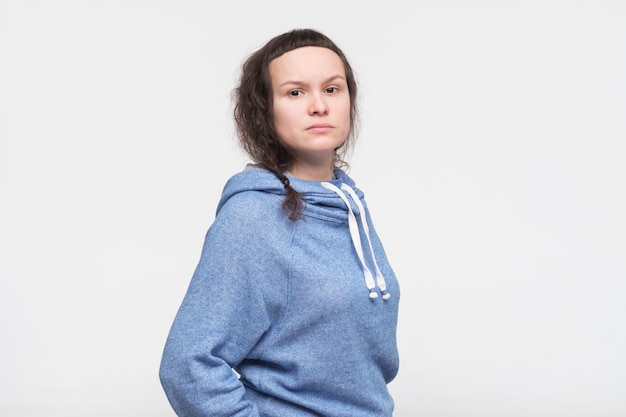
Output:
[[292, 308]]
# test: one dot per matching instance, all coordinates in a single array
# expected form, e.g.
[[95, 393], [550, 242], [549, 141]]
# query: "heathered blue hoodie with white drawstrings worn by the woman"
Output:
[[286, 318]]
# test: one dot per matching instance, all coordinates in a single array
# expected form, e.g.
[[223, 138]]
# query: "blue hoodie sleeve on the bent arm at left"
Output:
[[227, 308]]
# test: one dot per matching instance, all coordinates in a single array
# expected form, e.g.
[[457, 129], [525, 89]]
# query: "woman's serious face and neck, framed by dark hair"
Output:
[[311, 103]]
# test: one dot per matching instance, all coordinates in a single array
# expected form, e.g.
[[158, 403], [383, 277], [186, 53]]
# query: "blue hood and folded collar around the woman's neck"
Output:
[[320, 201]]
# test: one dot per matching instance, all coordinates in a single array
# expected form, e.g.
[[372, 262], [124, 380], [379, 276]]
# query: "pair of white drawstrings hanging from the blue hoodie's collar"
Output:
[[356, 240]]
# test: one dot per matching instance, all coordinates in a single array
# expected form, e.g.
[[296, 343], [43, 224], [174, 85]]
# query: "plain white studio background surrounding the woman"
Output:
[[492, 154]]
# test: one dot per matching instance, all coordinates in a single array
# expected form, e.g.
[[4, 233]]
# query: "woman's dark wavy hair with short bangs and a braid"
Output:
[[254, 118]]
